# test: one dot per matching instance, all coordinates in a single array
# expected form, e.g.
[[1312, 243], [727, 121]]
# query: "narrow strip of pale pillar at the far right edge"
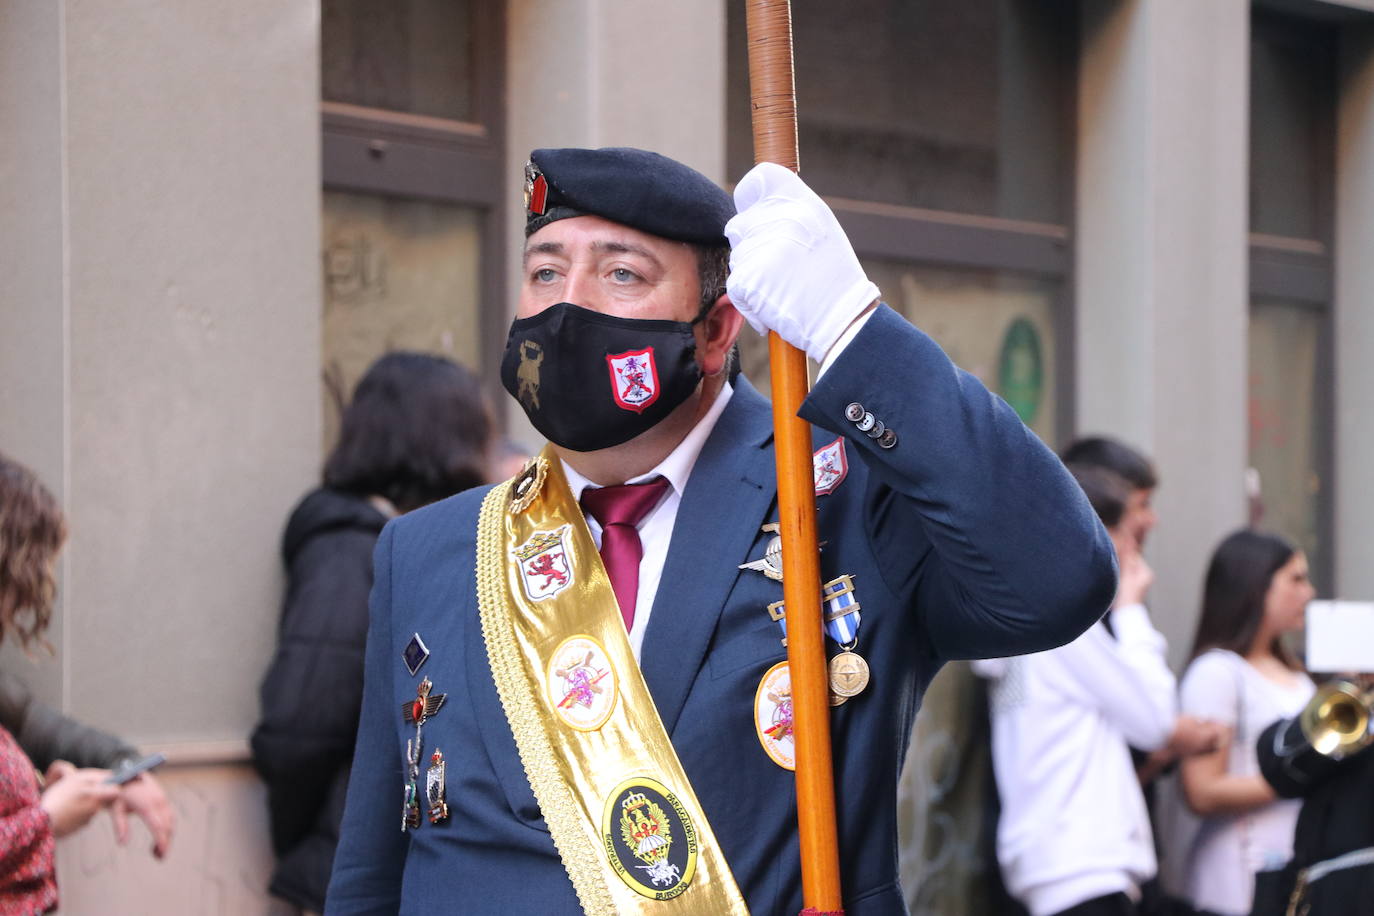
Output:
[[1355, 317]]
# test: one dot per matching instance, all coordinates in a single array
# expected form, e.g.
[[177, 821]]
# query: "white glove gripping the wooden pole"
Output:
[[792, 270]]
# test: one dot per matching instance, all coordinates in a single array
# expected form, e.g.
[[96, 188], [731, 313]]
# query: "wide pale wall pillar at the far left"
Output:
[[160, 358]]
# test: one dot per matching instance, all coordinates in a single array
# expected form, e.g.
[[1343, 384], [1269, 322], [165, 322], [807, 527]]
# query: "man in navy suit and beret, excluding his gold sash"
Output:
[[960, 535]]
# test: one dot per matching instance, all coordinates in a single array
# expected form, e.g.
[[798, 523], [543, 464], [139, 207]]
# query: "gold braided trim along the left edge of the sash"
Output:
[[556, 800]]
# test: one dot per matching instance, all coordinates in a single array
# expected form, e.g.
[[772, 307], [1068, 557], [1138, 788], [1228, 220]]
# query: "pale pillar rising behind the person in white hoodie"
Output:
[[1162, 268]]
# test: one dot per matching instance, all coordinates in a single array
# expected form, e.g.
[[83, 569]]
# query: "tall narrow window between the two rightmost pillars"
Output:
[[1294, 93]]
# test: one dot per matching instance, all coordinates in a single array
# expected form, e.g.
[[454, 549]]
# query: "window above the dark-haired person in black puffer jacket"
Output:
[[413, 185]]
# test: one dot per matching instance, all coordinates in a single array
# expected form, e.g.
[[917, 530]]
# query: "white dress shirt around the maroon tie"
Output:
[[656, 531]]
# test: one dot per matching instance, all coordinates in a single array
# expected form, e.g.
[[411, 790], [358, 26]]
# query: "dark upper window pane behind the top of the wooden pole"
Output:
[[930, 104]]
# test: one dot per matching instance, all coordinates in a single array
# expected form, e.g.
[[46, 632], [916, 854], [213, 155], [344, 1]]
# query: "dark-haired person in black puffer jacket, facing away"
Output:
[[418, 431]]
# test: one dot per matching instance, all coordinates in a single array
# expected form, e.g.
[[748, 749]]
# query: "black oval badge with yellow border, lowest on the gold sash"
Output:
[[649, 838]]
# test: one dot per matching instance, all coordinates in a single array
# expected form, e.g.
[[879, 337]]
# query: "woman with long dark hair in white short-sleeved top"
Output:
[[1244, 678]]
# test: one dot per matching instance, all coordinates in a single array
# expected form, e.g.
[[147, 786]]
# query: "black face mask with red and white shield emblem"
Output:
[[590, 381]]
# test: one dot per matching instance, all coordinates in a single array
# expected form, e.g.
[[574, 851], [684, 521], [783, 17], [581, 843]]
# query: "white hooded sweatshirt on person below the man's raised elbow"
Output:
[[1074, 821]]
